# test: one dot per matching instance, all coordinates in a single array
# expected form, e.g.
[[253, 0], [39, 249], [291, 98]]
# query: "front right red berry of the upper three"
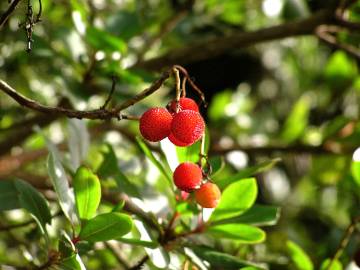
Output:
[[187, 126]]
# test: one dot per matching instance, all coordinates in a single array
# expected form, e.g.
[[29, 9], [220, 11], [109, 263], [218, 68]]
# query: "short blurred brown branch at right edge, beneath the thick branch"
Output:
[[323, 32]]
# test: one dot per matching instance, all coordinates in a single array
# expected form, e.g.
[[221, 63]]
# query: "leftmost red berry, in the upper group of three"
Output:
[[155, 124]]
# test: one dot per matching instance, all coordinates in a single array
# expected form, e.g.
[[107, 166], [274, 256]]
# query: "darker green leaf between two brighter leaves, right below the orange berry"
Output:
[[258, 215]]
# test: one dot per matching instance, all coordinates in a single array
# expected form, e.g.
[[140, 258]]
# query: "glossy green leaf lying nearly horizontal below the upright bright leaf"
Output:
[[106, 227]]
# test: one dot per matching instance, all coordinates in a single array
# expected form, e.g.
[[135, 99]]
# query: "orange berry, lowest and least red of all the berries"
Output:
[[208, 195]]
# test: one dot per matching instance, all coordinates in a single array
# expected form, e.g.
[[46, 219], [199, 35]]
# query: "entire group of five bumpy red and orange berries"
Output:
[[183, 125]]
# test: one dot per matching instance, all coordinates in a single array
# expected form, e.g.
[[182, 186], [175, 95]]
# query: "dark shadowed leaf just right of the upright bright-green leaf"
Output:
[[109, 168]]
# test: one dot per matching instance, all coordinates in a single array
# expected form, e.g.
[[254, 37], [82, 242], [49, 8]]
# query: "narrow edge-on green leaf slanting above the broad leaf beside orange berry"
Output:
[[248, 172]]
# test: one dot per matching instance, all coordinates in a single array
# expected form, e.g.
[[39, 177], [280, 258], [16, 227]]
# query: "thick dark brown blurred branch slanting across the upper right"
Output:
[[216, 46]]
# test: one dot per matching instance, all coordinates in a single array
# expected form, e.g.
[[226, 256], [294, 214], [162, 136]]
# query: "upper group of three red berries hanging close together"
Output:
[[183, 127]]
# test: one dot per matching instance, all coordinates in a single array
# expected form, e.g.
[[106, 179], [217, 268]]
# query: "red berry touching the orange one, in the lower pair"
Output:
[[187, 176]]
